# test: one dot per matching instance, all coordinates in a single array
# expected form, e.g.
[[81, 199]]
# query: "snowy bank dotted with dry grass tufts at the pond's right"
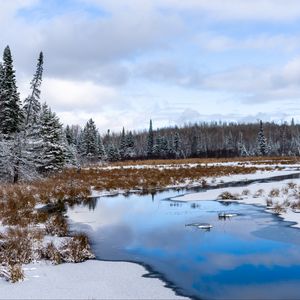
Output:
[[258, 194]]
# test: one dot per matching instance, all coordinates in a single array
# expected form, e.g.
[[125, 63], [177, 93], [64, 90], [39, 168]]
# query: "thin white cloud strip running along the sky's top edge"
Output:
[[265, 10]]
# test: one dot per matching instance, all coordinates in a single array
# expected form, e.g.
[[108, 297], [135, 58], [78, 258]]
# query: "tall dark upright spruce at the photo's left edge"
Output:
[[11, 114]]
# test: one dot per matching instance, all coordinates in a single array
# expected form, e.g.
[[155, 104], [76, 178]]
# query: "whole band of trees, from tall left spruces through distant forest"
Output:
[[33, 141]]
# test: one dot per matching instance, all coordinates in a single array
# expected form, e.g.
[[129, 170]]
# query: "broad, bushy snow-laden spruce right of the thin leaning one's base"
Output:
[[53, 153]]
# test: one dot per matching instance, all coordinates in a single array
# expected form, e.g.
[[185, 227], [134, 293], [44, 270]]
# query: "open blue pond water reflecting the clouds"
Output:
[[253, 255]]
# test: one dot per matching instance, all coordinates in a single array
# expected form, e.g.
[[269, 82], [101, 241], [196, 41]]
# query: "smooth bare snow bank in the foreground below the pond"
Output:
[[89, 280]]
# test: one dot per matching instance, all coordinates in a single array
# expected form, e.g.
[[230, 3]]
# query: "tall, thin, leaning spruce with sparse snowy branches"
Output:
[[32, 104]]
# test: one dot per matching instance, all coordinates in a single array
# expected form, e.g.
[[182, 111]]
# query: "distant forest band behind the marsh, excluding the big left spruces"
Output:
[[199, 140]]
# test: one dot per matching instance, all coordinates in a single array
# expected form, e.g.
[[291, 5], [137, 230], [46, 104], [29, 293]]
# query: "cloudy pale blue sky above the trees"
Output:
[[122, 62]]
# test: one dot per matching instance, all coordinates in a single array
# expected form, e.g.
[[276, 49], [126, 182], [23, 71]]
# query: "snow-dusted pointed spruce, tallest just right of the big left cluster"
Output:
[[90, 141]]
